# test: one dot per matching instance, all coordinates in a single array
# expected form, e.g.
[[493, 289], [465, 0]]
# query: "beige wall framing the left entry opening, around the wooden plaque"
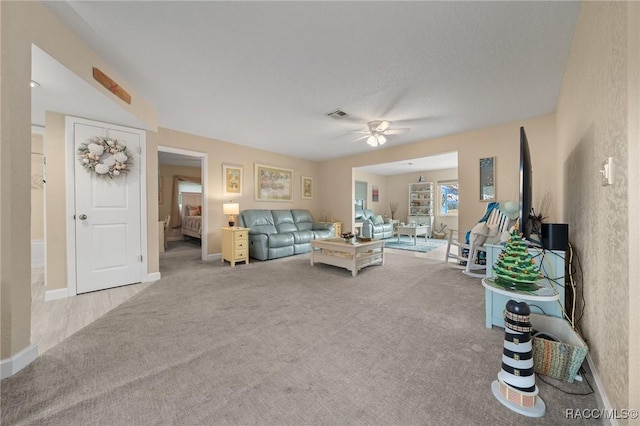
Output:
[[24, 24]]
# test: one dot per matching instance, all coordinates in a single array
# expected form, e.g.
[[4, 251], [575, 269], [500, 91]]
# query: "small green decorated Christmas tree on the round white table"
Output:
[[515, 267]]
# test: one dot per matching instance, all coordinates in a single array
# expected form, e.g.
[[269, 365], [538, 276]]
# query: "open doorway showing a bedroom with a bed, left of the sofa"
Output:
[[182, 178]]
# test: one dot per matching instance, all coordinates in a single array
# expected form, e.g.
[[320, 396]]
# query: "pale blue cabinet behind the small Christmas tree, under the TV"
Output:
[[552, 267]]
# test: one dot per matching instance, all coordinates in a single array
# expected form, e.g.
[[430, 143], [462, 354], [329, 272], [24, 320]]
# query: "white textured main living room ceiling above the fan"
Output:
[[264, 74]]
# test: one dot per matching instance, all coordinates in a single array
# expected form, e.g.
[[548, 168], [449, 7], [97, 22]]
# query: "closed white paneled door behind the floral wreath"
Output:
[[107, 215]]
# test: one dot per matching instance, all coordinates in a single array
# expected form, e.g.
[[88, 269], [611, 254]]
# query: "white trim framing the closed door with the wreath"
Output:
[[70, 198]]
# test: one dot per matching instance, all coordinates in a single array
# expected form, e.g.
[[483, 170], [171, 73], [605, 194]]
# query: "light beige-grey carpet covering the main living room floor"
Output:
[[282, 343]]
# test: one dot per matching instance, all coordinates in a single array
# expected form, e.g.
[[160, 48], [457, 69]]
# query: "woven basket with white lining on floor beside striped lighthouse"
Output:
[[560, 360]]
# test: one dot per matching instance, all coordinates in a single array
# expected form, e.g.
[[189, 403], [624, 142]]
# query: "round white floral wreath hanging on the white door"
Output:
[[105, 157]]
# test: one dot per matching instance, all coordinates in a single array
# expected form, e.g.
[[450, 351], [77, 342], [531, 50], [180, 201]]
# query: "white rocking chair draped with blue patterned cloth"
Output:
[[469, 249]]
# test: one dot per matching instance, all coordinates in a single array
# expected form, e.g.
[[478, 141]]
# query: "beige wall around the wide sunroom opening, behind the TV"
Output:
[[499, 141]]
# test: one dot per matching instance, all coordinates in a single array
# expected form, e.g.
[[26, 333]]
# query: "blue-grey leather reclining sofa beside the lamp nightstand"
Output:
[[280, 233]]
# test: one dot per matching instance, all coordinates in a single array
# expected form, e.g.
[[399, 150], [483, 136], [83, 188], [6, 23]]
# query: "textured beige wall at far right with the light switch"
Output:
[[592, 123]]
